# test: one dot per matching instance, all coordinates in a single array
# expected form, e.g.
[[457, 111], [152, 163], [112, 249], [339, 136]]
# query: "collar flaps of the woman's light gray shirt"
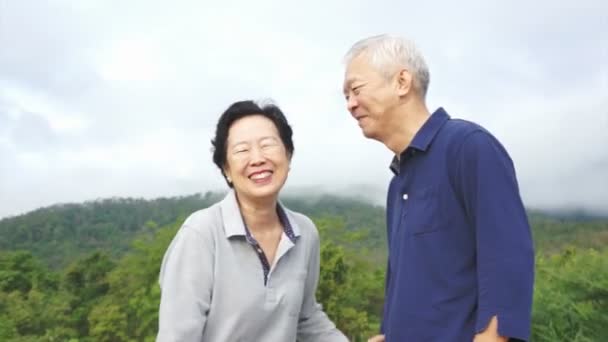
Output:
[[234, 224]]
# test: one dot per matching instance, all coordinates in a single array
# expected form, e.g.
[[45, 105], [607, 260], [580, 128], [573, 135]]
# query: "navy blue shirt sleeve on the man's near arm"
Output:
[[505, 253]]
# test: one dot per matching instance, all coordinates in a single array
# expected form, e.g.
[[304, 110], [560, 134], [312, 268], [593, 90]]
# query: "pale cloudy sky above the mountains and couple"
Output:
[[120, 98]]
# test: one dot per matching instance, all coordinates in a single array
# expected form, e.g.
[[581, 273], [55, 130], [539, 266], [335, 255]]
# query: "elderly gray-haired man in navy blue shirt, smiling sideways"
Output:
[[461, 259]]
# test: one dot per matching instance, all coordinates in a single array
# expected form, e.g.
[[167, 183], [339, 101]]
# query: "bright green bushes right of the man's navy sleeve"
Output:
[[571, 296]]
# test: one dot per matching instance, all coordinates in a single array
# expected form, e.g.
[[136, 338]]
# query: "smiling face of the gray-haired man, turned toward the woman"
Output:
[[370, 97]]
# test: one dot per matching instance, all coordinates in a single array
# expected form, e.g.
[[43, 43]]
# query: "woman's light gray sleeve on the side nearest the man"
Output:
[[313, 324]]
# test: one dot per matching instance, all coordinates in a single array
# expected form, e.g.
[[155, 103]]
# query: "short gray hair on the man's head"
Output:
[[390, 53]]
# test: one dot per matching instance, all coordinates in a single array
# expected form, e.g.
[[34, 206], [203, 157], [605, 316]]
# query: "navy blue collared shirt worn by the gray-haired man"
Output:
[[460, 247]]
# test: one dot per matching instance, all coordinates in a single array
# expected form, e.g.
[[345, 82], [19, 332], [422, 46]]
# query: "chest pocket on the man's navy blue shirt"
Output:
[[422, 211]]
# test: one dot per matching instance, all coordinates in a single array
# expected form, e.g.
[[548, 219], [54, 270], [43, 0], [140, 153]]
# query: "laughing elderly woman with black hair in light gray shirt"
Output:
[[246, 268]]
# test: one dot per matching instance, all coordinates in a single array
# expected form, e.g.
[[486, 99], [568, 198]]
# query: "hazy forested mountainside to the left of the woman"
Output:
[[64, 232]]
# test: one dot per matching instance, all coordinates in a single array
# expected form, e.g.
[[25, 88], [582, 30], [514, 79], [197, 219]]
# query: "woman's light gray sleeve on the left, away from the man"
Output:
[[186, 279]]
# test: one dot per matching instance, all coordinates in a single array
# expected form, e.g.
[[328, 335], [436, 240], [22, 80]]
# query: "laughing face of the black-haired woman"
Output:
[[256, 159]]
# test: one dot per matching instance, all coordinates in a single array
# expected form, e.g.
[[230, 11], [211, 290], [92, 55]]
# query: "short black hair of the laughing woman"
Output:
[[241, 109]]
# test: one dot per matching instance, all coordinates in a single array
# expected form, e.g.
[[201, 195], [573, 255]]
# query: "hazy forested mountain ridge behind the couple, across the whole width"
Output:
[[62, 232]]
